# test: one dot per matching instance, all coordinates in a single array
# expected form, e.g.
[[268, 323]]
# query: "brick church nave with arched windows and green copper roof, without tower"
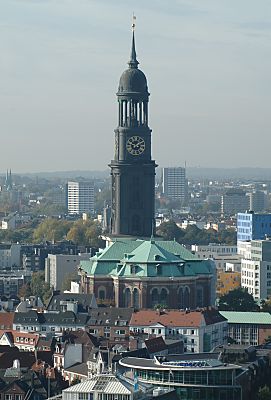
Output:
[[144, 273]]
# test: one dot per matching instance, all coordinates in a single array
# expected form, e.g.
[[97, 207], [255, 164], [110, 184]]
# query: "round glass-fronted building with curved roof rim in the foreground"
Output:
[[192, 375]]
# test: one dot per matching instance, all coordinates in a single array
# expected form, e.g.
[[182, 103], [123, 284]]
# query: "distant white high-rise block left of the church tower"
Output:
[[80, 197]]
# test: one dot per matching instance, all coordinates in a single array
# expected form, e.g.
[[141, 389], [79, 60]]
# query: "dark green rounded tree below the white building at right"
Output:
[[237, 300]]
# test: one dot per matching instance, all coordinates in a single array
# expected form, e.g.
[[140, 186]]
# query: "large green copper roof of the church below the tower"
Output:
[[149, 258]]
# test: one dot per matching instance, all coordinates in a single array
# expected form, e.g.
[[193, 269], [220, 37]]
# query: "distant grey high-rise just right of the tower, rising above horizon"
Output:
[[175, 184]]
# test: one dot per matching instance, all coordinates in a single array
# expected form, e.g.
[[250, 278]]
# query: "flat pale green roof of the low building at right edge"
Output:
[[238, 317]]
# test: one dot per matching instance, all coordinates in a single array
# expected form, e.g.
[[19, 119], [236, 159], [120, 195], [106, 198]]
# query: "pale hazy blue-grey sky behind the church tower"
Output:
[[207, 62]]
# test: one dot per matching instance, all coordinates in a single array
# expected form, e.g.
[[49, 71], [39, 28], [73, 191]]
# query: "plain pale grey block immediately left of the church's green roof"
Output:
[[58, 266]]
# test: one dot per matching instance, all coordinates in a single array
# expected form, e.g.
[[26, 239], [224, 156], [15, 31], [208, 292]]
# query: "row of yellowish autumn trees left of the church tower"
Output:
[[79, 232]]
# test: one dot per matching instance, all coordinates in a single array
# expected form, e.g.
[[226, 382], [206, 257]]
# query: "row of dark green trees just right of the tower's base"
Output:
[[192, 234]]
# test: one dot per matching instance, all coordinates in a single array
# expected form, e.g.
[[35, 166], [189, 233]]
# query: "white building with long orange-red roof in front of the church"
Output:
[[200, 330]]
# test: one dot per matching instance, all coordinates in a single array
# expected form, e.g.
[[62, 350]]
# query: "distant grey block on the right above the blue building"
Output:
[[234, 201]]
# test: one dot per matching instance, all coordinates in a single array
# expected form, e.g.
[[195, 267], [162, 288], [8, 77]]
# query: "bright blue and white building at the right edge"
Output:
[[252, 226]]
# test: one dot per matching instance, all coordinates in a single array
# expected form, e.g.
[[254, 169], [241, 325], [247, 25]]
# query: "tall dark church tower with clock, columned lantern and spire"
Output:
[[133, 170]]
